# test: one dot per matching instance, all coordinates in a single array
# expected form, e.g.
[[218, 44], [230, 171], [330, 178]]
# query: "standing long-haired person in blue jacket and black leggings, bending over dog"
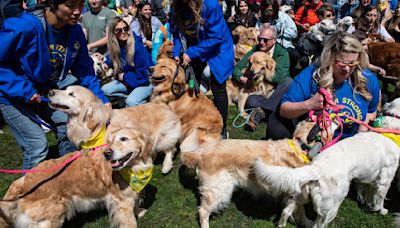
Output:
[[200, 24]]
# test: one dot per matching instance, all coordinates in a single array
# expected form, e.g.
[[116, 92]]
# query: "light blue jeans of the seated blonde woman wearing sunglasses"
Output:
[[138, 96]]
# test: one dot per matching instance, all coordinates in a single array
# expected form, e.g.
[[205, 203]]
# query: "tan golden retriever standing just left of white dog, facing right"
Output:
[[227, 164]]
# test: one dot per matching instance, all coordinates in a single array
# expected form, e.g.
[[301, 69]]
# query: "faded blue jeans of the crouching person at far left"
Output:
[[30, 136]]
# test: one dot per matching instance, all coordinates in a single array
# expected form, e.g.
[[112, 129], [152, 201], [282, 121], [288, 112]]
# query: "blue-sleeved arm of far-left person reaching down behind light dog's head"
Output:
[[82, 67]]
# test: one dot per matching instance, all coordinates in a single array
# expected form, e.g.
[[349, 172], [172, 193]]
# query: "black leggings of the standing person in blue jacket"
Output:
[[218, 90]]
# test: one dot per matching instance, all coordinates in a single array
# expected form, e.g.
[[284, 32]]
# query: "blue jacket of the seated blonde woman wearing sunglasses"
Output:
[[137, 75]]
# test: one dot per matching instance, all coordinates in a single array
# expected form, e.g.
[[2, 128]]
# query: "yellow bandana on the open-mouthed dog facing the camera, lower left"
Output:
[[137, 179]]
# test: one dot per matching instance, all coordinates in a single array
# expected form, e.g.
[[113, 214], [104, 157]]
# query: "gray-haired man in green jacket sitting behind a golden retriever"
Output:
[[281, 79]]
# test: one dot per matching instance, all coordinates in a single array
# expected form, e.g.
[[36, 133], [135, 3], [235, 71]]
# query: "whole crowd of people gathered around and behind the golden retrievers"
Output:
[[54, 52]]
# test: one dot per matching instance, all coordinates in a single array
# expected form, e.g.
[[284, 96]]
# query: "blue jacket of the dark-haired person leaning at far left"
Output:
[[25, 67]]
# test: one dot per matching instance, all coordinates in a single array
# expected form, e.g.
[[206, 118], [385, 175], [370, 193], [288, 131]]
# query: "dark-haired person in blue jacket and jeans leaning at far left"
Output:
[[35, 56]]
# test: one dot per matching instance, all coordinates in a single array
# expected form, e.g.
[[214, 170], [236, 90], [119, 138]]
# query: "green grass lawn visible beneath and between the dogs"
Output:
[[172, 200]]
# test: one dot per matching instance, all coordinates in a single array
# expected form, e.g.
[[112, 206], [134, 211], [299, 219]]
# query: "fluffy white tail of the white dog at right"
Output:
[[283, 179]]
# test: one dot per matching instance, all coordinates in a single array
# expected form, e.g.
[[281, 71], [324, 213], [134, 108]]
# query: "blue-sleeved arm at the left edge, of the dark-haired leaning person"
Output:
[[27, 47]]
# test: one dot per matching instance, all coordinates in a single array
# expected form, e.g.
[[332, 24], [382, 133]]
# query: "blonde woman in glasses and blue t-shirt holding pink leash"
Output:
[[342, 69]]
